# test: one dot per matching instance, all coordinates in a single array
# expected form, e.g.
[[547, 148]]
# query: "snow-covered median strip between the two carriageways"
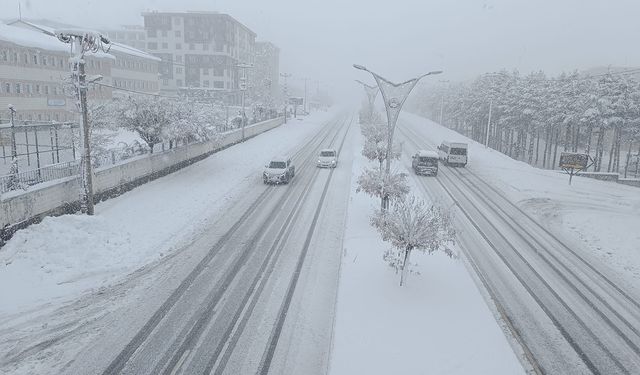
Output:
[[437, 323]]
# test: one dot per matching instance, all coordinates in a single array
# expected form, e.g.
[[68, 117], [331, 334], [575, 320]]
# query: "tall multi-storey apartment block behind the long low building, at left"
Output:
[[200, 51]]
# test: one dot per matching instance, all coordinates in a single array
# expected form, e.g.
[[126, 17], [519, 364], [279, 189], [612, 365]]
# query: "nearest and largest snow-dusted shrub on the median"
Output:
[[412, 224]]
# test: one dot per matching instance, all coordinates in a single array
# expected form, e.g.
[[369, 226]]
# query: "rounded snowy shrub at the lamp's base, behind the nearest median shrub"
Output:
[[377, 183]]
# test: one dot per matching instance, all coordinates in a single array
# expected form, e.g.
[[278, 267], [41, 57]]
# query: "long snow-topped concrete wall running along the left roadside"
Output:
[[19, 209]]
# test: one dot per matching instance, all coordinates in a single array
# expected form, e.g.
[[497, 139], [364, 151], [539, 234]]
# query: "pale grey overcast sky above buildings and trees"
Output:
[[320, 39]]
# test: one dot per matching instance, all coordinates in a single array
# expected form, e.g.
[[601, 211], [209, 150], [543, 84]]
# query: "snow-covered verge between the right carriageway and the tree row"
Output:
[[600, 217]]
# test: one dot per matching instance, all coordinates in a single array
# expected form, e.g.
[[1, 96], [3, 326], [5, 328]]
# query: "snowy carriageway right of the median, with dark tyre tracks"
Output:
[[572, 314]]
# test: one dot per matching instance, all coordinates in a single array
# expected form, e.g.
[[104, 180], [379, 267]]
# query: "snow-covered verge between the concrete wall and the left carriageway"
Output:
[[62, 257]]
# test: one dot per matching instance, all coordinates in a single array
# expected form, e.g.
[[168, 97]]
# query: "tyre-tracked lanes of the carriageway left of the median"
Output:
[[220, 318]]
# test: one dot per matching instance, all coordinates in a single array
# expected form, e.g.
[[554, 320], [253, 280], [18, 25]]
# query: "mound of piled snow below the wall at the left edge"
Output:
[[62, 253]]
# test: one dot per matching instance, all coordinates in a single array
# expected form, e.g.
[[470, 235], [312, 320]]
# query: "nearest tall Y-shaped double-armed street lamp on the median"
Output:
[[394, 95]]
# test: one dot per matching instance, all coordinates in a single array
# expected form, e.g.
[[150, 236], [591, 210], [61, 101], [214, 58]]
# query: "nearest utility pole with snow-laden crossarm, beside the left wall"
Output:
[[83, 41]]
